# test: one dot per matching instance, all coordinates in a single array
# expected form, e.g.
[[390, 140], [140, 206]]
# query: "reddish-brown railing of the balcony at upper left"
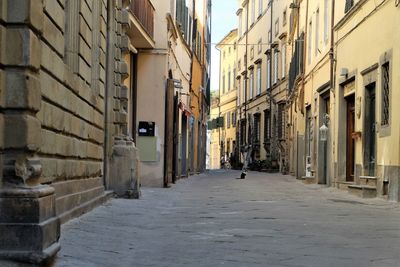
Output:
[[143, 10]]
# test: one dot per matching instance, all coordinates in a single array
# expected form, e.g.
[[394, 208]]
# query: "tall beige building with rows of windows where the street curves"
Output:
[[262, 80]]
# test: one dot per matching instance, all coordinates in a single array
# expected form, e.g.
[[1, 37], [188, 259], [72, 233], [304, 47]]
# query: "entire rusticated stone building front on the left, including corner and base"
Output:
[[60, 99]]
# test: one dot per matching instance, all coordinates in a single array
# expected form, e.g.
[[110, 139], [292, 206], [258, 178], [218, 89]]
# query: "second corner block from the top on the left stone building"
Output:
[[22, 48]]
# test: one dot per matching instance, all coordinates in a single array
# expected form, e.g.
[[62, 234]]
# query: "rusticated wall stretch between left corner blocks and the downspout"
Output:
[[72, 78]]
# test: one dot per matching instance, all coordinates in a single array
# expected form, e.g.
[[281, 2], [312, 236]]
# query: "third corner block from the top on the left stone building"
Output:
[[21, 91]]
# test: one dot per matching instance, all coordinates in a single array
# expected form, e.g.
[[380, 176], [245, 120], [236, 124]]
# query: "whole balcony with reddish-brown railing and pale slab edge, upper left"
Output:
[[141, 20]]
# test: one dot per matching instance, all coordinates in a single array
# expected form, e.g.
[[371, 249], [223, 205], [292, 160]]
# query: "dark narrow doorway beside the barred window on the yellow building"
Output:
[[370, 131]]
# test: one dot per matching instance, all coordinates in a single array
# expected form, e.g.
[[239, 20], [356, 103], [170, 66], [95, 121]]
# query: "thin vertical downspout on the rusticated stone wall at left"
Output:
[[109, 86]]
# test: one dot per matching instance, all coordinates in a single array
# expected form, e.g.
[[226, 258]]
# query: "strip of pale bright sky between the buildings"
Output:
[[223, 20]]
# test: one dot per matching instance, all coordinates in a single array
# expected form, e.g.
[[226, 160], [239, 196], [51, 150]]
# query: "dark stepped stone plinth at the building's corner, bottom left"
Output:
[[29, 228]]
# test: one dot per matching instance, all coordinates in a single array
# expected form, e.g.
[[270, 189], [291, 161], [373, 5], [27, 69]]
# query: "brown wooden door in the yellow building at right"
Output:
[[350, 152]]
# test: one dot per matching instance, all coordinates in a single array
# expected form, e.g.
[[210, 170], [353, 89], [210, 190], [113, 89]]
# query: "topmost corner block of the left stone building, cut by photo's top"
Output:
[[25, 11]]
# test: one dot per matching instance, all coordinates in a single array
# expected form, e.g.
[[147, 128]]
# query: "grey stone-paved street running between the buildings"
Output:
[[215, 219]]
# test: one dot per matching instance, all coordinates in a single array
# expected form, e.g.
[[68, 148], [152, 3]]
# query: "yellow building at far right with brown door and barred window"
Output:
[[367, 50]]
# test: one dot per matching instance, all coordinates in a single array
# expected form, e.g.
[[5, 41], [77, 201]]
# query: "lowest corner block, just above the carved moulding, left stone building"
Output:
[[22, 131]]
